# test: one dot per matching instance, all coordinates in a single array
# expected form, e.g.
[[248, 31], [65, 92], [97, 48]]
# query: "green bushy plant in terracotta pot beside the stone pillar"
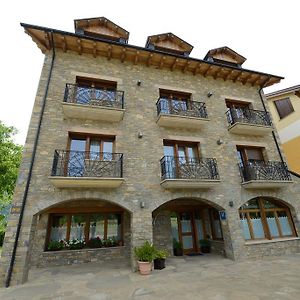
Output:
[[145, 256]]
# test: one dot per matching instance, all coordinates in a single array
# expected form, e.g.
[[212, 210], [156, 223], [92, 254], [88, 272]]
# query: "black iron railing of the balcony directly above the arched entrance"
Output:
[[181, 168]]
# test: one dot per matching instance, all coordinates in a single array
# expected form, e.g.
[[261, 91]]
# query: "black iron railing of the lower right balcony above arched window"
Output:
[[259, 170]]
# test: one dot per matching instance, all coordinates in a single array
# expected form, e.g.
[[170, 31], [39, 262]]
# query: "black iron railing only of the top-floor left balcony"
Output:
[[93, 96]]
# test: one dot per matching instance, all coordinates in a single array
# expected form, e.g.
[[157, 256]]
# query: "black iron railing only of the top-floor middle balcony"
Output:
[[181, 108]]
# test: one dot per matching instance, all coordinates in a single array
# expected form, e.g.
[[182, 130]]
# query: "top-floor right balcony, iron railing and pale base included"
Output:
[[248, 121]]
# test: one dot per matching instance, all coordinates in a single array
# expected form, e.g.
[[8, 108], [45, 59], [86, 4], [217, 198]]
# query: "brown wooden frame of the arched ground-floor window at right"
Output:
[[262, 210]]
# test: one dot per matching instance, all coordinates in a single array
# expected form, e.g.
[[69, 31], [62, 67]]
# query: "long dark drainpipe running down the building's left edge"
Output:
[[13, 257]]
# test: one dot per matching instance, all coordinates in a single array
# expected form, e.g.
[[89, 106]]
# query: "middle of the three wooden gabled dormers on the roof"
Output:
[[169, 41]]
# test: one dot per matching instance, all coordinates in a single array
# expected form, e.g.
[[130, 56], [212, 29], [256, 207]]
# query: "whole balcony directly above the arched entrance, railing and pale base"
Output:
[[178, 172]]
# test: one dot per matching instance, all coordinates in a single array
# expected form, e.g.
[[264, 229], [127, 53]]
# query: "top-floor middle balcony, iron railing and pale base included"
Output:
[[181, 114]]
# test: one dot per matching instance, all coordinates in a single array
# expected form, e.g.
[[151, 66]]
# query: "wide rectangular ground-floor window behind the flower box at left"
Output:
[[85, 226]]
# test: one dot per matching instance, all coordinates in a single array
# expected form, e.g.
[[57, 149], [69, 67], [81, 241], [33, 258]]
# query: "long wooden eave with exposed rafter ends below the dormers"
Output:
[[66, 41]]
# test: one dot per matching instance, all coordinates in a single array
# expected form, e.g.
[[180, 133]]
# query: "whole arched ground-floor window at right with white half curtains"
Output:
[[266, 219]]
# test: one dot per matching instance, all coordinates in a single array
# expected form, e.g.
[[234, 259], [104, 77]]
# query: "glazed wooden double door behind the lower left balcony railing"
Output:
[[86, 152]]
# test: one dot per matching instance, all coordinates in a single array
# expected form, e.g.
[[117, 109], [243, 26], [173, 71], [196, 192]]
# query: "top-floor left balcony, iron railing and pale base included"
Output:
[[92, 103]]
